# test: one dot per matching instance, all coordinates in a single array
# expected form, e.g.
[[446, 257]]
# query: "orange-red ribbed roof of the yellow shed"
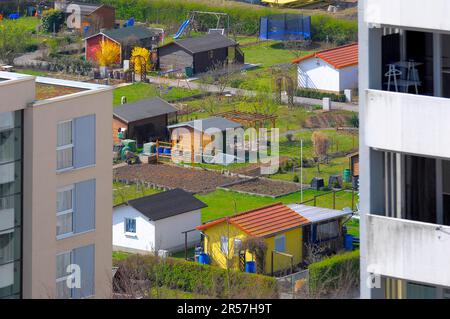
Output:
[[263, 222]]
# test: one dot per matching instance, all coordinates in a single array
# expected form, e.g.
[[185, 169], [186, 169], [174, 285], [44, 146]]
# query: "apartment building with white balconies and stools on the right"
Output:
[[405, 148]]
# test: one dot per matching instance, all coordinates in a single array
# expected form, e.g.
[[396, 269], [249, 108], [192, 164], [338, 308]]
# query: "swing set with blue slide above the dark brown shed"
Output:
[[193, 20]]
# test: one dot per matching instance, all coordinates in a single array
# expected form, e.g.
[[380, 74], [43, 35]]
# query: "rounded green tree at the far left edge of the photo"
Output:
[[13, 40]]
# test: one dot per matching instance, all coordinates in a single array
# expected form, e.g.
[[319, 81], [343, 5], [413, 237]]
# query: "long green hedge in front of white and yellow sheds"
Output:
[[201, 279]]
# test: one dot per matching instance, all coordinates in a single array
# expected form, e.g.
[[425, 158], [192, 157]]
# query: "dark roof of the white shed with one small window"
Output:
[[167, 204]]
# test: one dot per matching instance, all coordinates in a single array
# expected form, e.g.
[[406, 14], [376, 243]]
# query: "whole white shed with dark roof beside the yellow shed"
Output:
[[157, 222]]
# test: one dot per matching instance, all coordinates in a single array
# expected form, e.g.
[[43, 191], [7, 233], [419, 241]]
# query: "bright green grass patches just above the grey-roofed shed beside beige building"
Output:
[[139, 91]]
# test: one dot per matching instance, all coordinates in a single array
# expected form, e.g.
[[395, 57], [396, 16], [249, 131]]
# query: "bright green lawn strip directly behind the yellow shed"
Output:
[[224, 203]]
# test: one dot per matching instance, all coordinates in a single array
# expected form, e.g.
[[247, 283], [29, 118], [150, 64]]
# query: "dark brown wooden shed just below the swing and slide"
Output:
[[199, 54]]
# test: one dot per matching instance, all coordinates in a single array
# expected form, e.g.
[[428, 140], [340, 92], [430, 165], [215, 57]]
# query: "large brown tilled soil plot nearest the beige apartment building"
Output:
[[164, 175]]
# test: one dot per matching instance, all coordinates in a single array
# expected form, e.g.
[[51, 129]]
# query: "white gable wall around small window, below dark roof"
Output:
[[144, 241]]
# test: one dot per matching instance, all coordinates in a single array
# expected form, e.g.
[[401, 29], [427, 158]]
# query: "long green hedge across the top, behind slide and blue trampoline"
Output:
[[244, 19]]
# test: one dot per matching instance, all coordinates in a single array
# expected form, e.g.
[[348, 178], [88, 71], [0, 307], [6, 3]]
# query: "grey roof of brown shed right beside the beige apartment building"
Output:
[[143, 109]]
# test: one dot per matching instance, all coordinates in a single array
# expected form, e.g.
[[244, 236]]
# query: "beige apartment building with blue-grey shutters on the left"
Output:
[[55, 188]]
